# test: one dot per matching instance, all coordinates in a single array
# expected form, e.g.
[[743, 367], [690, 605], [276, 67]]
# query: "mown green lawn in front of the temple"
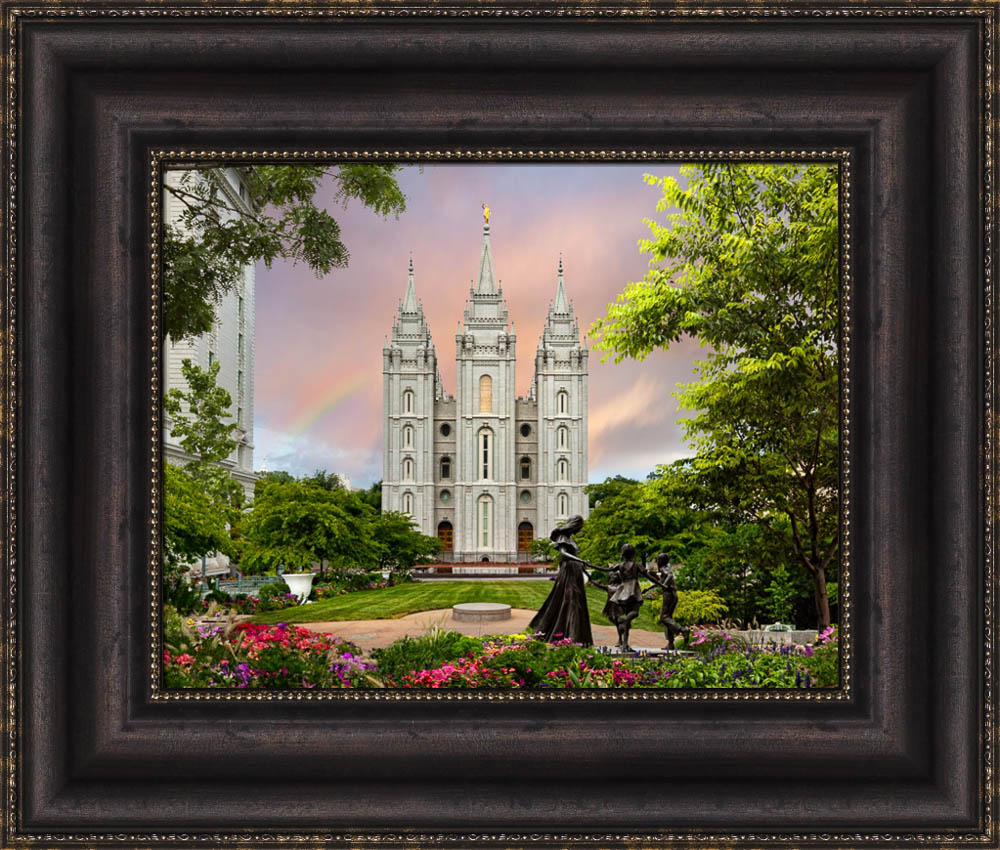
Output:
[[393, 602]]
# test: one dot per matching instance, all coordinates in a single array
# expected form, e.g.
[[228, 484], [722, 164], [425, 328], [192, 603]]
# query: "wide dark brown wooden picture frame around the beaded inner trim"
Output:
[[93, 92]]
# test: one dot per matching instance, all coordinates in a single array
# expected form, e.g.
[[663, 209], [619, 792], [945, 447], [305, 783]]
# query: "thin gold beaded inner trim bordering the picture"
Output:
[[162, 161]]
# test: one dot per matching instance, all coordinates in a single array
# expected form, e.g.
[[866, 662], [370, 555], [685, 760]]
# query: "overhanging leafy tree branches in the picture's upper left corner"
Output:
[[206, 251]]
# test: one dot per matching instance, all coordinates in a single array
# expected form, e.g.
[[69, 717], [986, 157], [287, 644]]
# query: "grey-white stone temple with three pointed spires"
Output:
[[483, 470]]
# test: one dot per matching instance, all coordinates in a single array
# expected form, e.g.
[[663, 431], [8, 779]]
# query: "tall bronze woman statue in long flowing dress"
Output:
[[564, 613]]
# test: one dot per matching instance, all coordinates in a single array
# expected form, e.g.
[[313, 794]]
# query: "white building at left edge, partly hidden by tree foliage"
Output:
[[229, 343]]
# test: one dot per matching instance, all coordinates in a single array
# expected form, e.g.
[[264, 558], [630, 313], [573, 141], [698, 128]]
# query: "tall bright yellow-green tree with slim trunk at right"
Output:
[[749, 266]]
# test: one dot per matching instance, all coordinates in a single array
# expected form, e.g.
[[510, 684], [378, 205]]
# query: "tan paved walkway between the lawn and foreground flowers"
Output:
[[373, 634]]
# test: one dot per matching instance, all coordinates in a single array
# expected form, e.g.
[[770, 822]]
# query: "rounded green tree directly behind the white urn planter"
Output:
[[298, 524]]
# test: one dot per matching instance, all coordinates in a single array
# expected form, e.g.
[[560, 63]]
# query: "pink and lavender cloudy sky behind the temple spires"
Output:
[[318, 342]]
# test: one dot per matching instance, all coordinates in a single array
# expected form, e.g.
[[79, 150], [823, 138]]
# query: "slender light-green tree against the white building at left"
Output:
[[201, 424]]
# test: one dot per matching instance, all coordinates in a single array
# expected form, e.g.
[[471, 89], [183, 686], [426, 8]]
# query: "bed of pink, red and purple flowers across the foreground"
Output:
[[220, 653]]
